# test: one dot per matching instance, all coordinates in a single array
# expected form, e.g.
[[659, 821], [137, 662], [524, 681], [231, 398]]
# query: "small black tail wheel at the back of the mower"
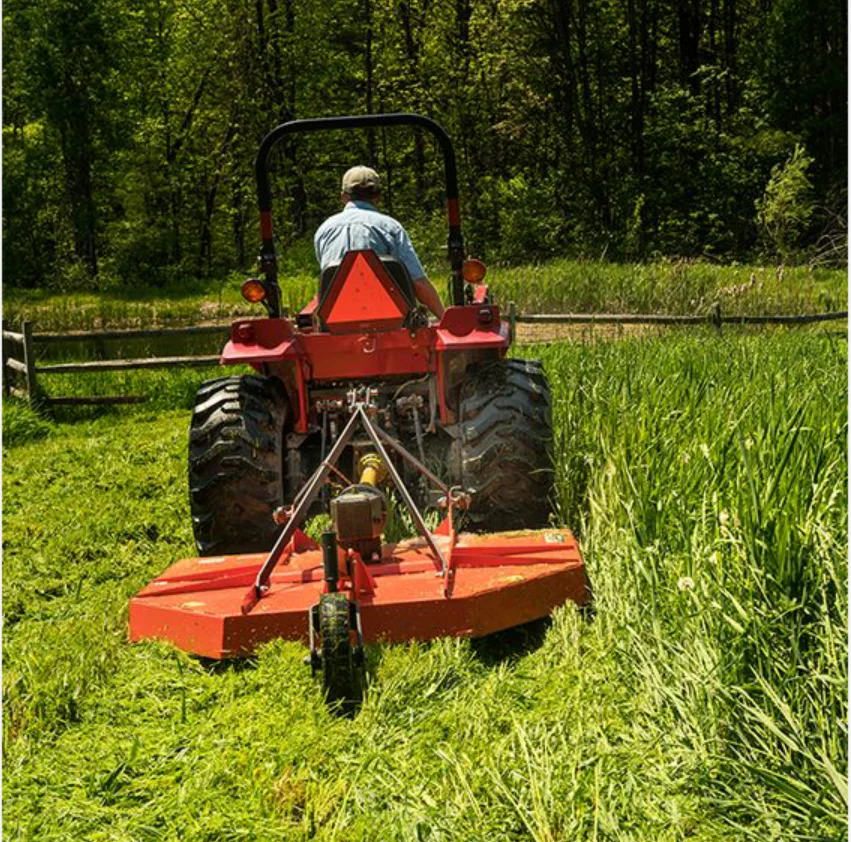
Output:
[[342, 663]]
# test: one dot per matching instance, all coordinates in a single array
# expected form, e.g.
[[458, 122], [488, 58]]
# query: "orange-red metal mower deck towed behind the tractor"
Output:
[[500, 580]]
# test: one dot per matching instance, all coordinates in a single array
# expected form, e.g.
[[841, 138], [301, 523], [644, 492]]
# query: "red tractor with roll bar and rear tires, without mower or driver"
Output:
[[445, 391]]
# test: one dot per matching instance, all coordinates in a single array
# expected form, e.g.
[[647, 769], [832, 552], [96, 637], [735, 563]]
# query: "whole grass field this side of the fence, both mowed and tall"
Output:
[[705, 700]]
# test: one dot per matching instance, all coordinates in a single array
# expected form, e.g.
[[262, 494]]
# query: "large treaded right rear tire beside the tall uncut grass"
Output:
[[503, 451]]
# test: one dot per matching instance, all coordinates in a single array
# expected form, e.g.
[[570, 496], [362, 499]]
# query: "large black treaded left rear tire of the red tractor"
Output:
[[236, 457]]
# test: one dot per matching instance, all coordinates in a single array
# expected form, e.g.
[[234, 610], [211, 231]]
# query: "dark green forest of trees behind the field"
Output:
[[622, 129]]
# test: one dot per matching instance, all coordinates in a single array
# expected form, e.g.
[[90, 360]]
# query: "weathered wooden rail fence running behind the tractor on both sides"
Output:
[[20, 370]]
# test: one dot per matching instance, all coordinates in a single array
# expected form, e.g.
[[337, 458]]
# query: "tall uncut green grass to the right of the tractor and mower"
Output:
[[710, 480]]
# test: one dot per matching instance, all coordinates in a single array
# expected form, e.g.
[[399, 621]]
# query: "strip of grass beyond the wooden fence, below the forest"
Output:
[[558, 286]]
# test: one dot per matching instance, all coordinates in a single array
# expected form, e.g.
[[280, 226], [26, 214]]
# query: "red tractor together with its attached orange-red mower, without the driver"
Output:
[[358, 392]]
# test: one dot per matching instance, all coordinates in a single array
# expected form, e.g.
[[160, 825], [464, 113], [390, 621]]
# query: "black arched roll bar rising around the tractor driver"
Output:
[[268, 260]]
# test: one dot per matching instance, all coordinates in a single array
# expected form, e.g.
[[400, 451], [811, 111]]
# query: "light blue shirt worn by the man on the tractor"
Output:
[[361, 226]]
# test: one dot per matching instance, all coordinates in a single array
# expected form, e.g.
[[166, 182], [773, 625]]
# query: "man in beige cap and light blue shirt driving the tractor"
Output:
[[361, 225]]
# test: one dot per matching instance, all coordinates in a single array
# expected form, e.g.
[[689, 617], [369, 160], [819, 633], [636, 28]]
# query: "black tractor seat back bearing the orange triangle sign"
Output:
[[364, 292]]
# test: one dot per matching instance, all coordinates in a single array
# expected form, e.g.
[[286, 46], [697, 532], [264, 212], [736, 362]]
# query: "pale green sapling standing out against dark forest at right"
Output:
[[786, 209]]
